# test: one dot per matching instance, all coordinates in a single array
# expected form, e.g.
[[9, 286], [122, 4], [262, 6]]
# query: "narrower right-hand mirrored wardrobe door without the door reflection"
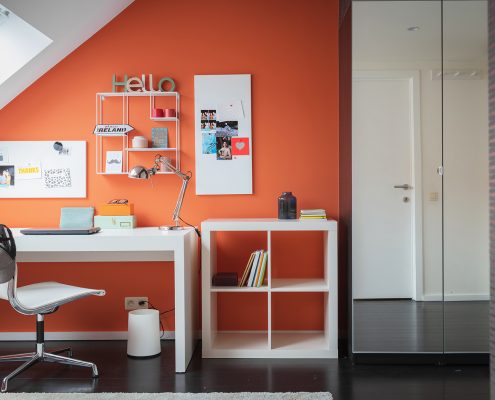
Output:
[[466, 208]]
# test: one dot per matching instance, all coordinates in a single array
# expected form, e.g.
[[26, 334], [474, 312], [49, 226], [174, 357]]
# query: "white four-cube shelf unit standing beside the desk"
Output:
[[270, 343]]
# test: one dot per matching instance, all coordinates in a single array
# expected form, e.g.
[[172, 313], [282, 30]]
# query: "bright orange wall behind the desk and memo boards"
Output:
[[291, 50]]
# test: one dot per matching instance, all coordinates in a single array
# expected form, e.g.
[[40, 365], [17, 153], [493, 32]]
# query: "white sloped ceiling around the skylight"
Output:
[[69, 23]]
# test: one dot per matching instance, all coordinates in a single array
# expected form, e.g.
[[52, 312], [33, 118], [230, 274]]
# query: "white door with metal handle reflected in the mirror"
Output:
[[385, 185]]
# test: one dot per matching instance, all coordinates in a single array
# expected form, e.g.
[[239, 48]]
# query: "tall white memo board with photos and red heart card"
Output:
[[228, 99]]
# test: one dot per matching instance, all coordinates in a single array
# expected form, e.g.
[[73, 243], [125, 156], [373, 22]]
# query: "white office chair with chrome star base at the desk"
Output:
[[38, 299]]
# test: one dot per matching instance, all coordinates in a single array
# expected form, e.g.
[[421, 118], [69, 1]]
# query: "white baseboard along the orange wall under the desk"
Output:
[[115, 335]]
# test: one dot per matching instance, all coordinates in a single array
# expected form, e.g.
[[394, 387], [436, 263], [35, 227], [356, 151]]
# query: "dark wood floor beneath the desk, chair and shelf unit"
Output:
[[345, 381]]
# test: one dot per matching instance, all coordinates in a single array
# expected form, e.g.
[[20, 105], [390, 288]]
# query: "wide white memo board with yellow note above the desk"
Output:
[[34, 169]]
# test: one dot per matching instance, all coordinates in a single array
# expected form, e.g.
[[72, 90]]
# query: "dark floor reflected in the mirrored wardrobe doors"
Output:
[[420, 326]]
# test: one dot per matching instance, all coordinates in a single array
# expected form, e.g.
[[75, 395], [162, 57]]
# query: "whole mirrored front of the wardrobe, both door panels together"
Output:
[[420, 183]]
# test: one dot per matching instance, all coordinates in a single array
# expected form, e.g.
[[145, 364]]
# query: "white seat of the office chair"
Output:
[[52, 293]]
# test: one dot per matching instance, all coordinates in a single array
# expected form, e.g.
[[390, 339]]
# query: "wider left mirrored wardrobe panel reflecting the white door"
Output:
[[397, 191]]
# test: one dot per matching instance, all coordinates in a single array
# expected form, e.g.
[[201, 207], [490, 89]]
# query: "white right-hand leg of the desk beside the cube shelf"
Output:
[[186, 300]]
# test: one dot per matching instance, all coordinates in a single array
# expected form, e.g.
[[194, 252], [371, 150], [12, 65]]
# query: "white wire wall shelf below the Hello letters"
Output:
[[125, 148]]
